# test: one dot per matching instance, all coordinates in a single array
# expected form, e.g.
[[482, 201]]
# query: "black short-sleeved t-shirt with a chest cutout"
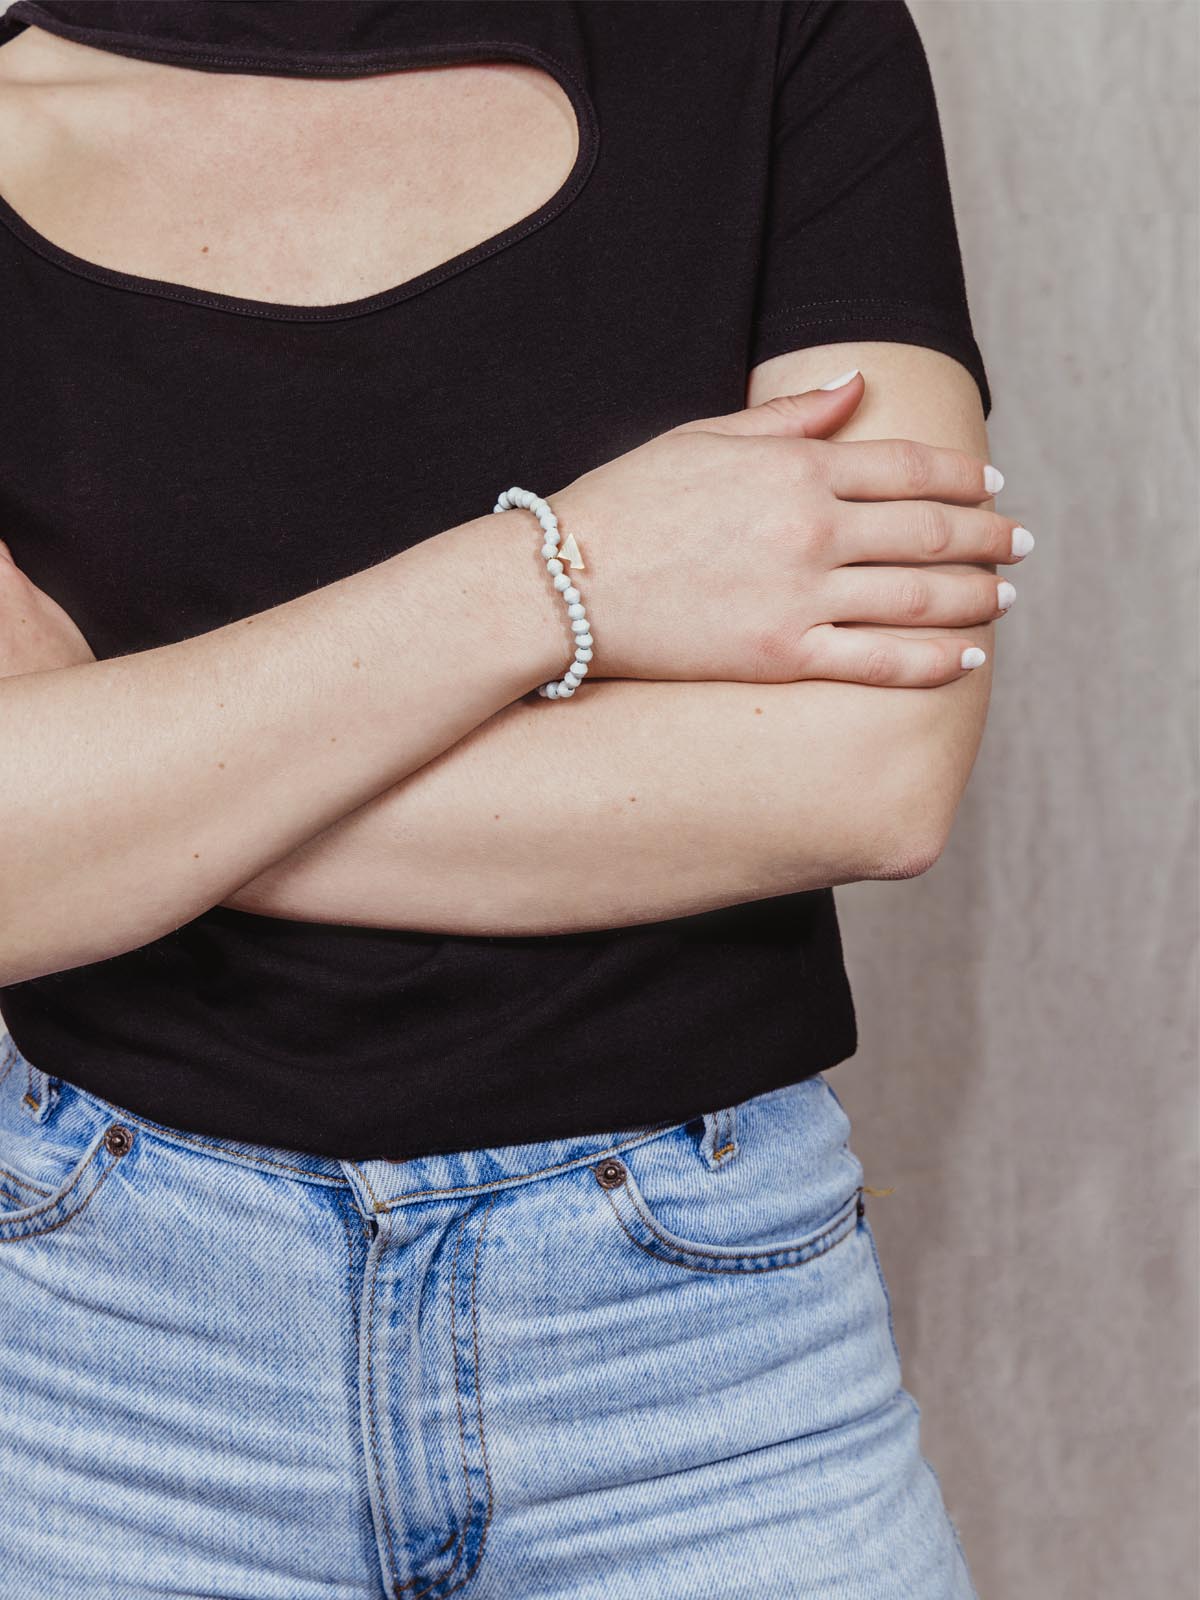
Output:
[[751, 178]]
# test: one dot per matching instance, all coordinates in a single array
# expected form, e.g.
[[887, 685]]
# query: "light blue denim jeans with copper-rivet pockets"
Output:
[[655, 1364]]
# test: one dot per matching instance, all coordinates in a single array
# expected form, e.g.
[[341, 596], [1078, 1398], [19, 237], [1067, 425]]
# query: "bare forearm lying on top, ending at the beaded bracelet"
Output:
[[137, 793]]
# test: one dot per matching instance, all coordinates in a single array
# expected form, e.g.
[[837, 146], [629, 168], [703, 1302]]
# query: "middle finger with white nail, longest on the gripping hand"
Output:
[[929, 532]]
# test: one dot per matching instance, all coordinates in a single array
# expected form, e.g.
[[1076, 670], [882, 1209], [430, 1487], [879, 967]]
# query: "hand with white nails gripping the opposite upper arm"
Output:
[[734, 546]]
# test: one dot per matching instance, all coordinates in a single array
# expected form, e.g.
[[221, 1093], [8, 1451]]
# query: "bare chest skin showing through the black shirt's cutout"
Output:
[[290, 191]]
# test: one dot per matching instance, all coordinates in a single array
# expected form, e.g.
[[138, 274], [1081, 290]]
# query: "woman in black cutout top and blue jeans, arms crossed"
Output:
[[420, 1169]]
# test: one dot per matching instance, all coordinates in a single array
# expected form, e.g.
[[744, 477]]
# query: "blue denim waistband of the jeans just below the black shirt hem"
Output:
[[380, 1185]]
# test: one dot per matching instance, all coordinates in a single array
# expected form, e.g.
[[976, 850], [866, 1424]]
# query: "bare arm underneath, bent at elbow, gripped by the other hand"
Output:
[[646, 801]]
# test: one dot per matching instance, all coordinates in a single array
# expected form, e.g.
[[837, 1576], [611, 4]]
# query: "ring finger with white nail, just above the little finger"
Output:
[[910, 598]]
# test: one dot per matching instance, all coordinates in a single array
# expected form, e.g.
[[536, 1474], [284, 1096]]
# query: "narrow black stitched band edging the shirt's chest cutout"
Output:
[[380, 62]]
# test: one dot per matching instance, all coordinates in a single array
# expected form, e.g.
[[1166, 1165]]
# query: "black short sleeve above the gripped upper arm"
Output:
[[860, 231]]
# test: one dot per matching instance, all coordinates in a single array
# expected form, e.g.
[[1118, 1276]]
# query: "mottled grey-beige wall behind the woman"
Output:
[[1028, 1065]]
